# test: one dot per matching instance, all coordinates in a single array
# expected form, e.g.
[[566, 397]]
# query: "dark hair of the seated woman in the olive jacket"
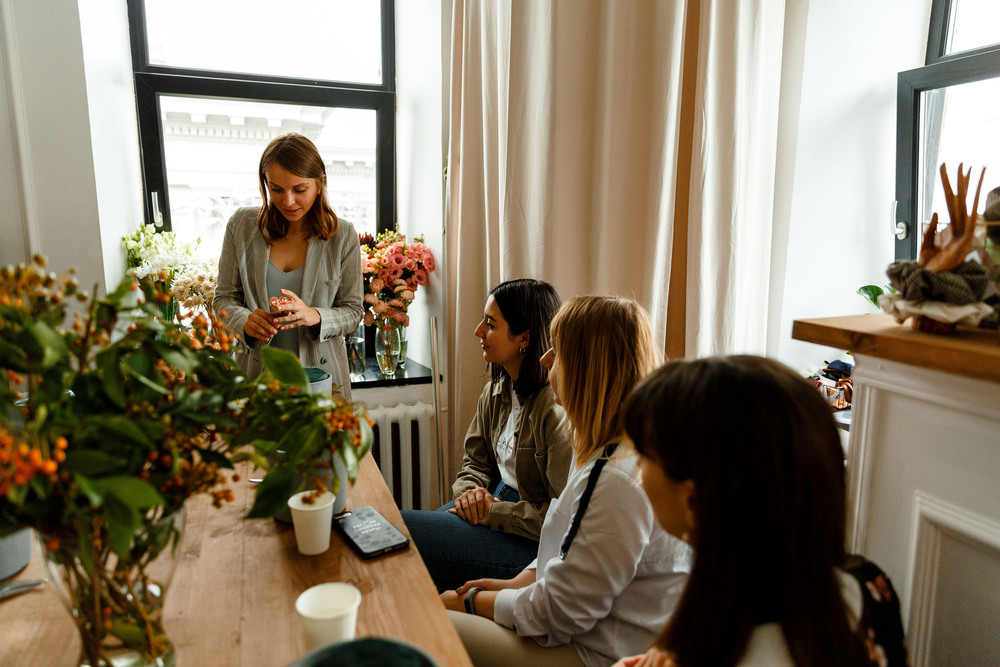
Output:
[[527, 305]]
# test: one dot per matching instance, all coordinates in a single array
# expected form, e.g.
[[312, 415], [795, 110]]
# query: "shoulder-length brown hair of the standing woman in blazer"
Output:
[[298, 155]]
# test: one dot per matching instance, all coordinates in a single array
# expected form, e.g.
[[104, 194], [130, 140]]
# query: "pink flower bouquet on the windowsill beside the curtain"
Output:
[[393, 269]]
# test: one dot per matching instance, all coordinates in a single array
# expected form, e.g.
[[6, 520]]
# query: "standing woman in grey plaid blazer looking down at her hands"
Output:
[[295, 253]]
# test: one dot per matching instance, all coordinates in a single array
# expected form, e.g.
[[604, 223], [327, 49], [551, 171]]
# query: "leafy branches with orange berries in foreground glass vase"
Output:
[[111, 418]]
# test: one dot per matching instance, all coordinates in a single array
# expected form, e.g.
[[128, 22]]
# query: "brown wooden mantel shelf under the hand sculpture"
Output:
[[970, 352]]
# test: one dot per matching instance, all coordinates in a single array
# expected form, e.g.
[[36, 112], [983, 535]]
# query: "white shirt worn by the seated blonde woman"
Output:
[[618, 584]]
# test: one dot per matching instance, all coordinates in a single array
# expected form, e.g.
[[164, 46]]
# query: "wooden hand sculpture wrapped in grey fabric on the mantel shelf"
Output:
[[942, 288]]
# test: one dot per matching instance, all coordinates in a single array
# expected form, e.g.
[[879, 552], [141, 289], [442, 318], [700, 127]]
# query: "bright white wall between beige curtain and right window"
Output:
[[836, 171]]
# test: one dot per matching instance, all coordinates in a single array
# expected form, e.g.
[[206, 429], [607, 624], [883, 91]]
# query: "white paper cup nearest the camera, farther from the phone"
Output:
[[329, 613]]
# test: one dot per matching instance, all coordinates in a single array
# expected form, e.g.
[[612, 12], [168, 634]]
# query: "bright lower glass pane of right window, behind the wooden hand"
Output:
[[958, 124]]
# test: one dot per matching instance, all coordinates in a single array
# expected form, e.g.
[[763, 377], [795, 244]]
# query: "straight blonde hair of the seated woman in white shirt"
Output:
[[604, 345]]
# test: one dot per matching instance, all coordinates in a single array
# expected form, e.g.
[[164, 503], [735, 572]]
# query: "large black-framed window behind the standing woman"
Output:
[[215, 82]]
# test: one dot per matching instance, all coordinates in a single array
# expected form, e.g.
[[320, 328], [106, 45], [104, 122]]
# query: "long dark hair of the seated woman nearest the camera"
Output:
[[762, 449]]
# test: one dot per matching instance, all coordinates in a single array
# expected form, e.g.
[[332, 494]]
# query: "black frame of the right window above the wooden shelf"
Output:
[[940, 71]]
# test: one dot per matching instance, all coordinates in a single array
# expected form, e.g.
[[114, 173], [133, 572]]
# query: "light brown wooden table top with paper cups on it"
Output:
[[232, 598]]
